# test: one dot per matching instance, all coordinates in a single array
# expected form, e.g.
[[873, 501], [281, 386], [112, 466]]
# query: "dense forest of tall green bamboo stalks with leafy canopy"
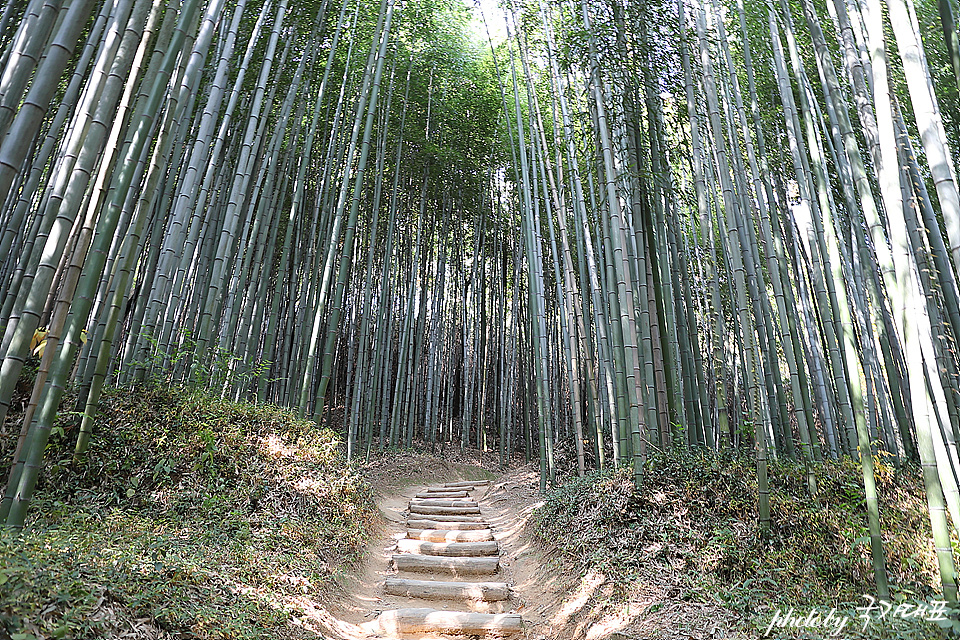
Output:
[[577, 234]]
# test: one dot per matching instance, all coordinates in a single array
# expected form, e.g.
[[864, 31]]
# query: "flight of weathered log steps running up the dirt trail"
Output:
[[449, 555]]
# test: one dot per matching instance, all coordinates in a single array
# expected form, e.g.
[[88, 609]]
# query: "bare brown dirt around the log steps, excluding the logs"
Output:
[[555, 603]]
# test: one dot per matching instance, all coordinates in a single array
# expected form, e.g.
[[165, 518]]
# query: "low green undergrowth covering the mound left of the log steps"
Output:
[[189, 517]]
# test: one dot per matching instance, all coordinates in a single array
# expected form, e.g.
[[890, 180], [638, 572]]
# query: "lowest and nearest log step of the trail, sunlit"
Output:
[[401, 621]]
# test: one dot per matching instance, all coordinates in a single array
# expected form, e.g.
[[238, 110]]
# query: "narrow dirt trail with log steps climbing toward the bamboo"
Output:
[[497, 586]]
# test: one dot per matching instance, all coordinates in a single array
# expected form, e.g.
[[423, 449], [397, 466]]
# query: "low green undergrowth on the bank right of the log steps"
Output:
[[693, 524]]
